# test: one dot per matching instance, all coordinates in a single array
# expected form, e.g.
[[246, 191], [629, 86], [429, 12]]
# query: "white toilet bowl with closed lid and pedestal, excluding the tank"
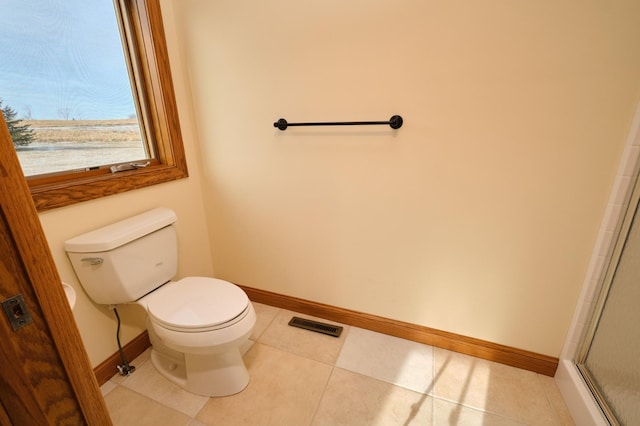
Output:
[[207, 320]]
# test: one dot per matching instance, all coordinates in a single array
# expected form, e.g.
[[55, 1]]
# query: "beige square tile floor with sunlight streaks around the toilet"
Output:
[[299, 377]]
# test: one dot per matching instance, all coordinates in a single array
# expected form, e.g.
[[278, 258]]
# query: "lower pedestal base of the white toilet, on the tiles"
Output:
[[216, 375]]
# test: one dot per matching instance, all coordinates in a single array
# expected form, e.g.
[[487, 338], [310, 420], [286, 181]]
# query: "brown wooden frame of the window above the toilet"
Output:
[[150, 62]]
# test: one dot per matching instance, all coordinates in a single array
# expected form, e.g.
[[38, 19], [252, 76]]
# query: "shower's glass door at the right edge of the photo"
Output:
[[610, 359]]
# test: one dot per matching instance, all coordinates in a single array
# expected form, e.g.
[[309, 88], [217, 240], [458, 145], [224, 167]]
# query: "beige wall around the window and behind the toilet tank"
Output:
[[96, 322]]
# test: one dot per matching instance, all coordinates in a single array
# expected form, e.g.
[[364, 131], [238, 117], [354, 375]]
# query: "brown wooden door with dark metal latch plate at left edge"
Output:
[[45, 375]]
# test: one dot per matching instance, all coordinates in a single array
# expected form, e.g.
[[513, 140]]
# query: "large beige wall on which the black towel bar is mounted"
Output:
[[478, 216]]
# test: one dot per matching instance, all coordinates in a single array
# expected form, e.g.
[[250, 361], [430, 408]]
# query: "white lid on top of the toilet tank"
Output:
[[117, 234]]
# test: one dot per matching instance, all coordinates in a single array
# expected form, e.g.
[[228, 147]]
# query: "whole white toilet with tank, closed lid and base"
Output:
[[196, 325]]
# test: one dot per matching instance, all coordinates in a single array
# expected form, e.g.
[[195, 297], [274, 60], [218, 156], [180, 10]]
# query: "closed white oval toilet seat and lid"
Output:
[[197, 304]]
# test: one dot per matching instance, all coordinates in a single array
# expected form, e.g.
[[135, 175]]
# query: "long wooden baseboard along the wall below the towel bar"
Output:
[[531, 361]]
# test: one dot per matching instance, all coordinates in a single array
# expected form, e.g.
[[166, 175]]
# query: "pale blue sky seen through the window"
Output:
[[63, 60]]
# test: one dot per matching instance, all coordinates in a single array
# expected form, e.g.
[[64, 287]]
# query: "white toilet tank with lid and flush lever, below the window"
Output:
[[121, 262]]
